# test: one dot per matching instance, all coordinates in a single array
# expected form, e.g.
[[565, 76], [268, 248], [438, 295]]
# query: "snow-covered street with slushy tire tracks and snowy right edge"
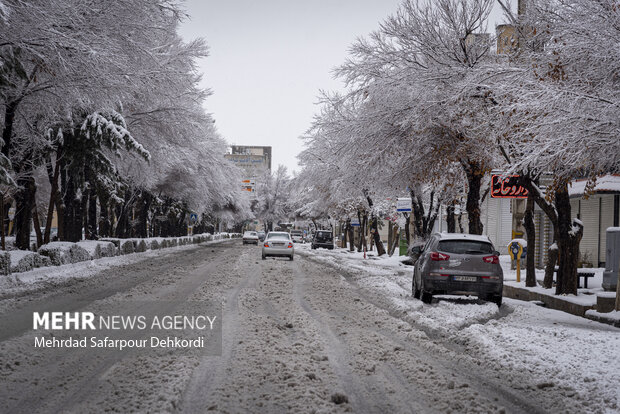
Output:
[[313, 335]]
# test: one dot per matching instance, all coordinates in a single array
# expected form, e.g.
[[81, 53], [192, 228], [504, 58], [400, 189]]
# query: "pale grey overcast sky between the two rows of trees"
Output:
[[269, 59]]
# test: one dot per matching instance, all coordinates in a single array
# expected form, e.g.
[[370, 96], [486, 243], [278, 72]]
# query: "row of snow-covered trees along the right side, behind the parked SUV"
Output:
[[431, 108]]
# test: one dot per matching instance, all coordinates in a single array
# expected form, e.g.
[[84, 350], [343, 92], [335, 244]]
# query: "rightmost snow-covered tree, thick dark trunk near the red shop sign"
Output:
[[558, 109]]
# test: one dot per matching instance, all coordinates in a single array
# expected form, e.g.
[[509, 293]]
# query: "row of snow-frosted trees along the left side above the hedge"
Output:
[[102, 122]]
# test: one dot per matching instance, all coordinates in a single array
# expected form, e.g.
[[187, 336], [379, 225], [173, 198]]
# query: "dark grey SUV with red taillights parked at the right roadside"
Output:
[[457, 264]]
